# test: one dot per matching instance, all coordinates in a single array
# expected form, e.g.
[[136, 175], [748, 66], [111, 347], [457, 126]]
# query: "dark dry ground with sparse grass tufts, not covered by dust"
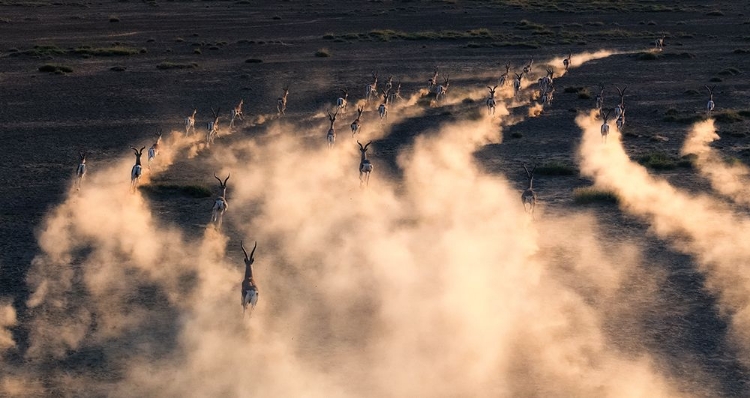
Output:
[[47, 118]]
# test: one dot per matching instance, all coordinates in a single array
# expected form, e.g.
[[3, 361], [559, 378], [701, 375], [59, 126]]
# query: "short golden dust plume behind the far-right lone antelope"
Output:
[[728, 179]]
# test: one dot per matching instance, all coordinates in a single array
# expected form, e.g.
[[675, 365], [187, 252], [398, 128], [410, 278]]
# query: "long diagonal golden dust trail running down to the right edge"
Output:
[[697, 224]]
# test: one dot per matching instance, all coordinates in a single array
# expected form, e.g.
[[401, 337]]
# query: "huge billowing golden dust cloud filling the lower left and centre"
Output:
[[427, 284]]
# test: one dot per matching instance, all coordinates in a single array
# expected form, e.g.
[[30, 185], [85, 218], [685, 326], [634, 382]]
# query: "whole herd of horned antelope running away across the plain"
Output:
[[388, 95]]
